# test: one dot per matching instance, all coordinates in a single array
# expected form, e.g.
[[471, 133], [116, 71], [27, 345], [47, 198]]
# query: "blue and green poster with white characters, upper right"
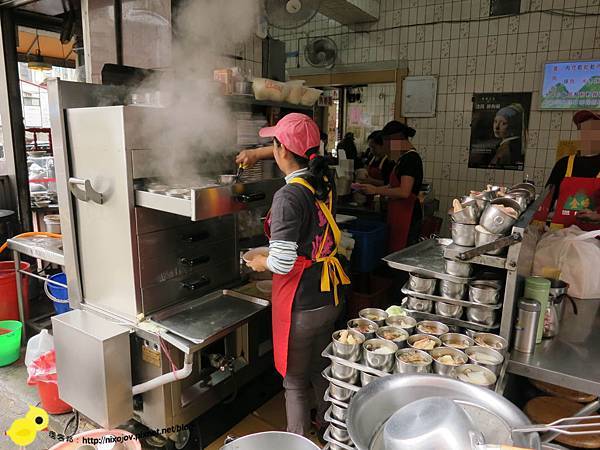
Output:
[[571, 85]]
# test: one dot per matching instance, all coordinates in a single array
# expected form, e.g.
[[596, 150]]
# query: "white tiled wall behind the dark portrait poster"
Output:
[[470, 52]]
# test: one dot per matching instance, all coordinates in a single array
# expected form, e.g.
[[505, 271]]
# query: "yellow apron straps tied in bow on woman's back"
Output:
[[332, 271]]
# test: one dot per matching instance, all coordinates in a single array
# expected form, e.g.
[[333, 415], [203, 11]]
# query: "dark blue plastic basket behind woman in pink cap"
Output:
[[370, 244]]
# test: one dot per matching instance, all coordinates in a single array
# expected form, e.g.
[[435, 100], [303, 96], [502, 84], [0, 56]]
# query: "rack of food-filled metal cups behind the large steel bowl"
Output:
[[376, 345]]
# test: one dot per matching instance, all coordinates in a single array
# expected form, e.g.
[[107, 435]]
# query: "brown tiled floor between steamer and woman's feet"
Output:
[[269, 417]]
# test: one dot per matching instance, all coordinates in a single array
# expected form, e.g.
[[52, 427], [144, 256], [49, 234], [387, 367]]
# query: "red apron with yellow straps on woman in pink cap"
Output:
[[285, 286]]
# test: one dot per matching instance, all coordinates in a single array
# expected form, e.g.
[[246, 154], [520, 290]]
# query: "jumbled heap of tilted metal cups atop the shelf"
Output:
[[486, 216]]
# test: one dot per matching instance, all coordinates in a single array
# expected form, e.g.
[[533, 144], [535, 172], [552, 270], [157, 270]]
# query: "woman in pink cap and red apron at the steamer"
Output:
[[303, 240]]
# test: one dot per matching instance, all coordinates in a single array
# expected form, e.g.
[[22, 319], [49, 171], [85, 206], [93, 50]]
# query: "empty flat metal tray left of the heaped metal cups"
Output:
[[425, 258]]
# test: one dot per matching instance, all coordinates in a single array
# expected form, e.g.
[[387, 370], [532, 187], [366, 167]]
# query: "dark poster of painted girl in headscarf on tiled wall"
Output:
[[498, 130]]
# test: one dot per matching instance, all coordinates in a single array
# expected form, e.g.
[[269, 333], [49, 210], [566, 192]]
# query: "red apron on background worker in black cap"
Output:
[[399, 216]]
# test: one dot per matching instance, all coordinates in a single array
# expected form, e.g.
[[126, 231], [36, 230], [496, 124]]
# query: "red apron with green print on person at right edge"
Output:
[[576, 194]]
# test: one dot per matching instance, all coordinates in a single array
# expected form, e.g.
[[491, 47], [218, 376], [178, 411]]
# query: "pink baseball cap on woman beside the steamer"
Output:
[[297, 132]]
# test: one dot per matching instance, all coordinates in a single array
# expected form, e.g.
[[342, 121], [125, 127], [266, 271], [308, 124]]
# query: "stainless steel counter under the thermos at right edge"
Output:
[[571, 360]]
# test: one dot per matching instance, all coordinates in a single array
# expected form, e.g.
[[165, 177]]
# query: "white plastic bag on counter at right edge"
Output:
[[576, 254]]
